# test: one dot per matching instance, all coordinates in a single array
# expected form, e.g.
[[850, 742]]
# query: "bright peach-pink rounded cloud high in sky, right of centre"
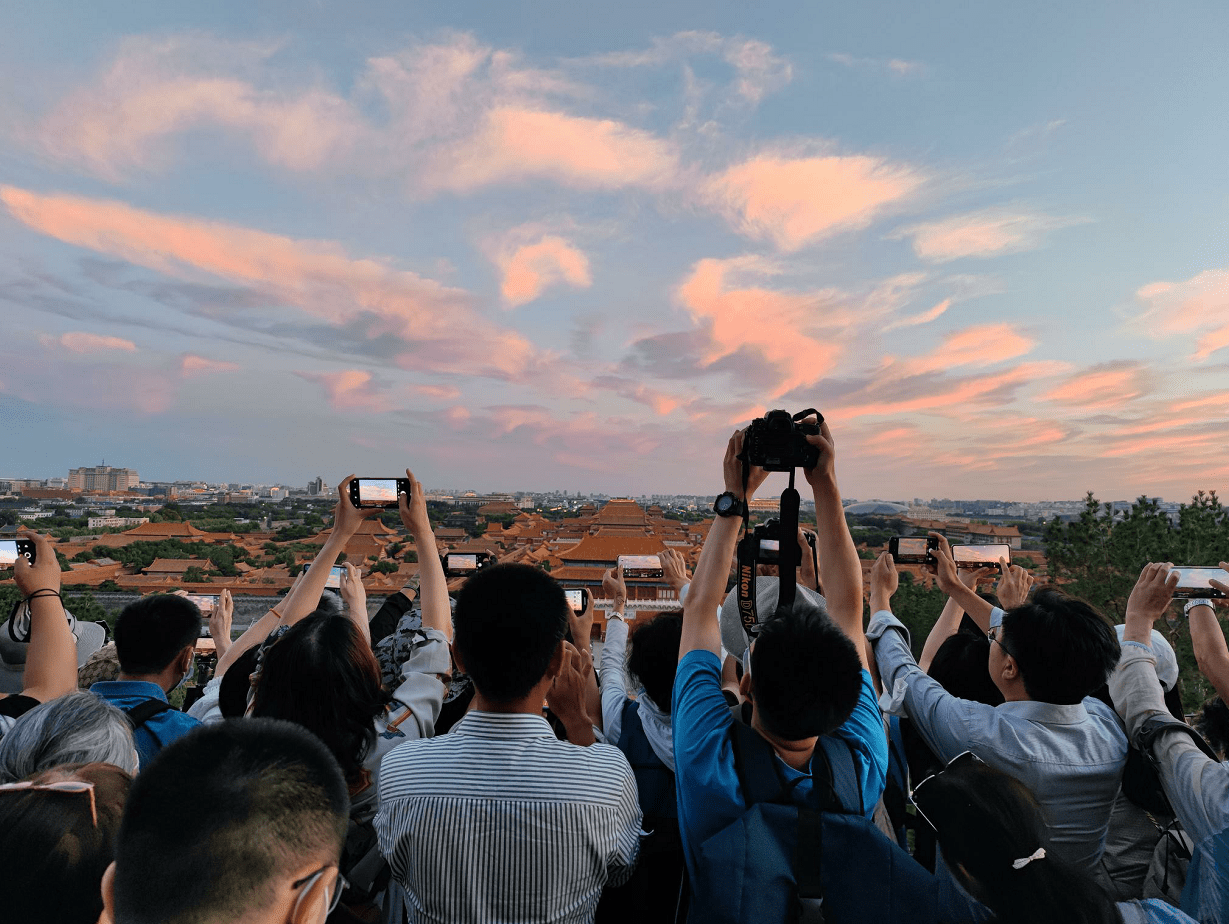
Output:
[[795, 201]]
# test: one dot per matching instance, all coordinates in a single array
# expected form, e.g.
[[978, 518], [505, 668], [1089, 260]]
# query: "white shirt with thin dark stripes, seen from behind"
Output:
[[500, 821]]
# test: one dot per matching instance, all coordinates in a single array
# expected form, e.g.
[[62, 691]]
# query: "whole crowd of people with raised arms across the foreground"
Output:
[[465, 760]]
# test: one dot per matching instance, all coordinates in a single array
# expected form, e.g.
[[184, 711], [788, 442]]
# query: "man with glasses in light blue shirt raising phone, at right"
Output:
[[1048, 657]]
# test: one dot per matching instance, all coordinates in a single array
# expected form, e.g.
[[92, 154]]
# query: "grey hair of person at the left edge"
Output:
[[77, 728]]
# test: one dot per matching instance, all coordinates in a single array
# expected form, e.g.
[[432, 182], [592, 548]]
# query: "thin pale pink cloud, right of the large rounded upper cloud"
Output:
[[990, 233]]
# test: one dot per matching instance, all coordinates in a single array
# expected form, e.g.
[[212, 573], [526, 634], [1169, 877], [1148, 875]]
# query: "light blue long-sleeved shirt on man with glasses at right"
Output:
[[1070, 756]]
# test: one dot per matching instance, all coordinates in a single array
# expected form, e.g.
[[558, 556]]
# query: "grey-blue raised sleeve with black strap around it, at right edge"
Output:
[[1198, 787]]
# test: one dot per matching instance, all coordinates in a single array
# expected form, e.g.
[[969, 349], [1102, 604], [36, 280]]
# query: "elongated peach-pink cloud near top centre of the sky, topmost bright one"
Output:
[[519, 144]]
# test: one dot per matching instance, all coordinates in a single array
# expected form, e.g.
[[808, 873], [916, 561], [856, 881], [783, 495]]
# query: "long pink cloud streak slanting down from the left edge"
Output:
[[441, 330]]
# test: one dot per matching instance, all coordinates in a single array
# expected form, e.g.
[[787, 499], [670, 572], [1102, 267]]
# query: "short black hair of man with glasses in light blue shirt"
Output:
[[1065, 649]]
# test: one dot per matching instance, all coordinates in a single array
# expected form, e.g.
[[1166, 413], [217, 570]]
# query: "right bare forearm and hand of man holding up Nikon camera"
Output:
[[840, 567]]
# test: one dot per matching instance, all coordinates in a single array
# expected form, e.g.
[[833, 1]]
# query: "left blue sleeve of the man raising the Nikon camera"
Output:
[[707, 785]]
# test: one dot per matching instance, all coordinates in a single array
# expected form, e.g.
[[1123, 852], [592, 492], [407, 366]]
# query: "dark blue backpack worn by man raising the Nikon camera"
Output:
[[818, 863]]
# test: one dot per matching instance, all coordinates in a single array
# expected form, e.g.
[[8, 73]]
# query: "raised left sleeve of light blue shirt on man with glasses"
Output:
[[944, 722]]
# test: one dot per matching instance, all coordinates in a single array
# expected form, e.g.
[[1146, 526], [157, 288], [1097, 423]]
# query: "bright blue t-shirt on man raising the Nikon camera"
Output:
[[707, 783]]
